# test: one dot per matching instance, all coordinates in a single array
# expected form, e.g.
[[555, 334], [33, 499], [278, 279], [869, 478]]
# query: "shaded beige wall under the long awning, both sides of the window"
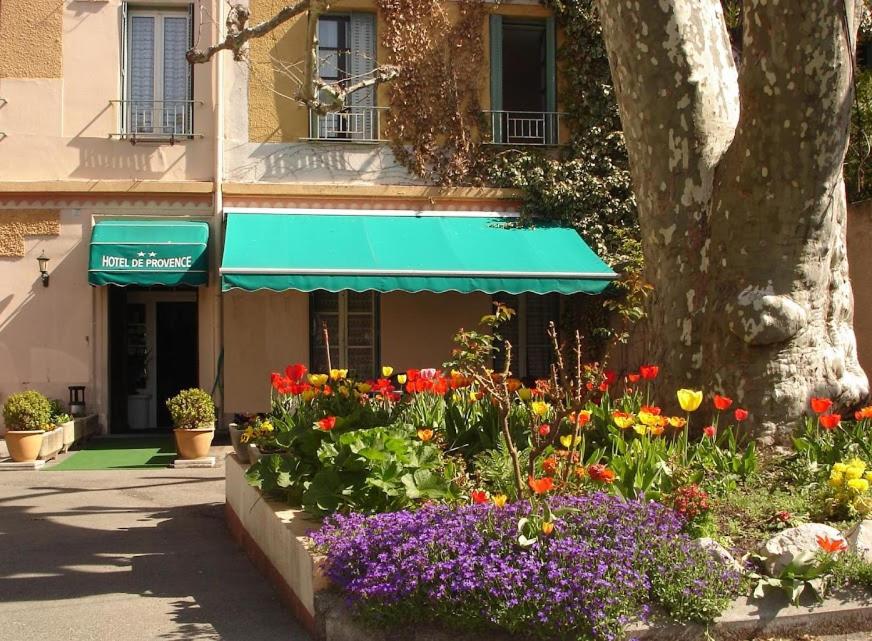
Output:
[[265, 331]]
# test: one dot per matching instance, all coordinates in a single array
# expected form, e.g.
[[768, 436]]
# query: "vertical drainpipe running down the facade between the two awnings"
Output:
[[218, 204]]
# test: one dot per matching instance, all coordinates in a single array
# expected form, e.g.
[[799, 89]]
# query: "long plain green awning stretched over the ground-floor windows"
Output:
[[405, 251]]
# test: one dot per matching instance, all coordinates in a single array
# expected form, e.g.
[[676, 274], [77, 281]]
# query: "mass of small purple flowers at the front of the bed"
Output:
[[600, 569]]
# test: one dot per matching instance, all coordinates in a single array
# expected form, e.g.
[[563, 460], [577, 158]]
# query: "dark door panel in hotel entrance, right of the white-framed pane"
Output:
[[176, 353]]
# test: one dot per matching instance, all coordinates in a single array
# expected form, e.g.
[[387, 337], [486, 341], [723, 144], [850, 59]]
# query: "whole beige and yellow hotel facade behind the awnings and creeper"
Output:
[[102, 123]]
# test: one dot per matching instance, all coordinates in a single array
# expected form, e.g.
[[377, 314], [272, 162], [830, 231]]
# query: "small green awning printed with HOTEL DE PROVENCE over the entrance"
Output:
[[149, 252]]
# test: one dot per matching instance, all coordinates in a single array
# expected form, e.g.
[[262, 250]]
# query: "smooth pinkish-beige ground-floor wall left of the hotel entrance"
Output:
[[45, 341]]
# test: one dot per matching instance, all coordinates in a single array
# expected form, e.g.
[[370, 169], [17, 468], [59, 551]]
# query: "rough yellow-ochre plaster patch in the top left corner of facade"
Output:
[[31, 33]]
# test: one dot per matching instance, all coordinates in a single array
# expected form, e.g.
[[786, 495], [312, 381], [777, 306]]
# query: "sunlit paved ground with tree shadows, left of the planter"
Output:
[[127, 555]]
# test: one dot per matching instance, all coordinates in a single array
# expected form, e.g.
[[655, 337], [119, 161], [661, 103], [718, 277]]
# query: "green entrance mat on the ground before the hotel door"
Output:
[[120, 454]]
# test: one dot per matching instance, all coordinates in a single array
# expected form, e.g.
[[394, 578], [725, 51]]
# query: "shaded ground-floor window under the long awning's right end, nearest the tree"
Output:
[[528, 334]]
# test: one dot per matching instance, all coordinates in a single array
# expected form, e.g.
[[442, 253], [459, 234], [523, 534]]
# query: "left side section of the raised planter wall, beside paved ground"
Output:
[[274, 538]]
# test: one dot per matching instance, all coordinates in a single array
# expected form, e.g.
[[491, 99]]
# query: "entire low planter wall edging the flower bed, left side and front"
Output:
[[274, 537]]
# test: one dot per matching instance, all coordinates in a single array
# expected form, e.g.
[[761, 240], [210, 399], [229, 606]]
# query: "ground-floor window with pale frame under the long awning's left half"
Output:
[[351, 319]]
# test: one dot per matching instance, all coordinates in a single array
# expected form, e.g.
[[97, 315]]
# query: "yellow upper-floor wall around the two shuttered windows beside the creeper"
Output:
[[277, 118]]
